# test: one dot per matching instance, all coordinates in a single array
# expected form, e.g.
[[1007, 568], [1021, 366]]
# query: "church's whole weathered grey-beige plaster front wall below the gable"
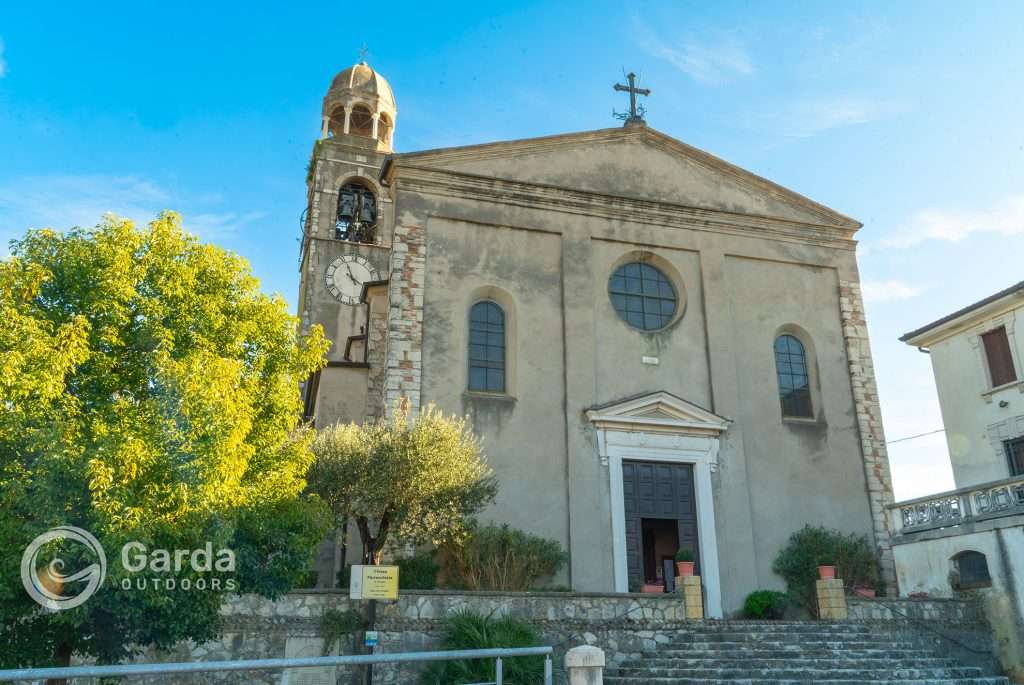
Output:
[[740, 288]]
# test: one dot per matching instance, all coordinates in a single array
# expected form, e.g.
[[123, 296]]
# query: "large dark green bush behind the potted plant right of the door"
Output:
[[854, 556]]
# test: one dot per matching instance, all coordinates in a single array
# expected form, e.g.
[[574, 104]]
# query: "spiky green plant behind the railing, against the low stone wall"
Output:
[[471, 630]]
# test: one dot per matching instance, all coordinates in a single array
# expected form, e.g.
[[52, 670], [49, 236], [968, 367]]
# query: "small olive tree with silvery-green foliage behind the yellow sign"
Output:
[[417, 481]]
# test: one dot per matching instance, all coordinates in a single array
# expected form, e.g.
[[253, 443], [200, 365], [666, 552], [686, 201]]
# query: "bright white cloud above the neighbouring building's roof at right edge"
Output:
[[953, 226]]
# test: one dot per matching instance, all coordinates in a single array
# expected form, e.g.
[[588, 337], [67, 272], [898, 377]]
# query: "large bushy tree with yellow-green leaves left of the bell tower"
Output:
[[150, 393]]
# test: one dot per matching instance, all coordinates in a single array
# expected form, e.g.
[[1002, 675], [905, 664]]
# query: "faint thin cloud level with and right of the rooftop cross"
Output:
[[807, 117]]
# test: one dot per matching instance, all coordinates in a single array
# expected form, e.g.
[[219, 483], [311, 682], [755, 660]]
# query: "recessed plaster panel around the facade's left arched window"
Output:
[[524, 430]]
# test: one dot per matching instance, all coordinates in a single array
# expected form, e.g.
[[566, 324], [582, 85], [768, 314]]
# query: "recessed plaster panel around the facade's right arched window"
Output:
[[815, 462]]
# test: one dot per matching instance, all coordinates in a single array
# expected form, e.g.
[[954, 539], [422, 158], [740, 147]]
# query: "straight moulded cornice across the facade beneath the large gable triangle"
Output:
[[444, 183]]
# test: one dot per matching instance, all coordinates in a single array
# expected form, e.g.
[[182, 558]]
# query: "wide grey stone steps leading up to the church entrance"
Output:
[[790, 653]]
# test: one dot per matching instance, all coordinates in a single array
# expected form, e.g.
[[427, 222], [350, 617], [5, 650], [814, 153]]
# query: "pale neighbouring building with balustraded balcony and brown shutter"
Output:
[[971, 540]]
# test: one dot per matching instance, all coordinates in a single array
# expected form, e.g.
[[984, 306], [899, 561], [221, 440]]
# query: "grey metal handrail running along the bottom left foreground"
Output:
[[130, 670]]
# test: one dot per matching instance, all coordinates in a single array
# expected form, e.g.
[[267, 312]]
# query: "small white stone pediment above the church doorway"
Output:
[[657, 411]]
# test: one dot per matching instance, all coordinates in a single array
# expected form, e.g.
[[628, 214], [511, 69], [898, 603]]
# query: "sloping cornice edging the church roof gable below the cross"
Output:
[[657, 140]]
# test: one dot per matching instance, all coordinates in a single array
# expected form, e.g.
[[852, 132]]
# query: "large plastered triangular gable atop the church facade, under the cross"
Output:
[[636, 163]]
